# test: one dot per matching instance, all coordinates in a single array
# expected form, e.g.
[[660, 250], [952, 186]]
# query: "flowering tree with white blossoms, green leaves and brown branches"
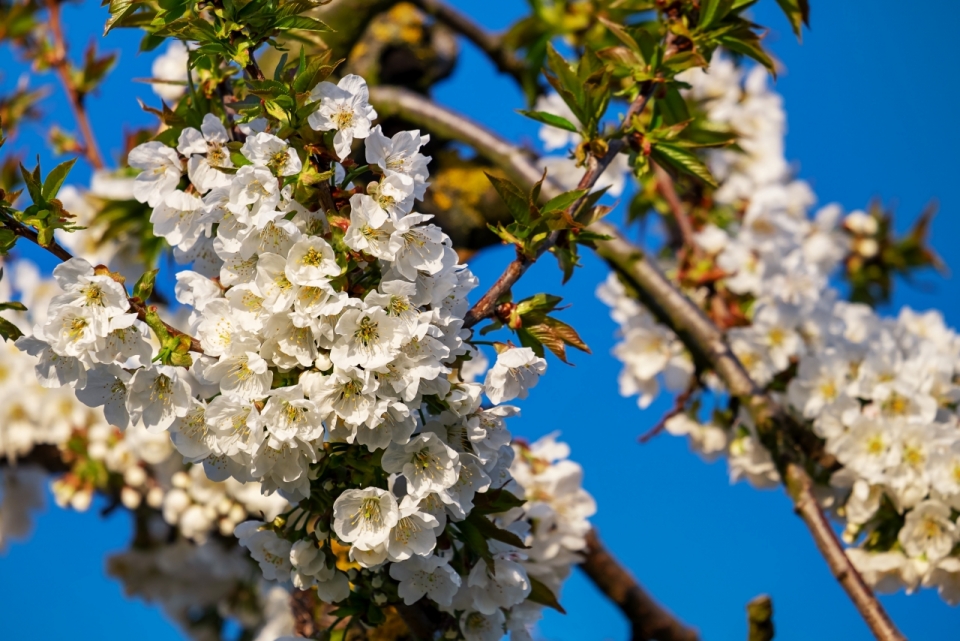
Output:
[[303, 436]]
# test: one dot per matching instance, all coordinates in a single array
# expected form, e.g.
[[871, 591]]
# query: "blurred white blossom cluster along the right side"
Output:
[[881, 393]]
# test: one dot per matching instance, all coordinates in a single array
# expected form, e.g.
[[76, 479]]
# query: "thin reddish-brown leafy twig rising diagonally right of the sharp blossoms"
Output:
[[486, 306]]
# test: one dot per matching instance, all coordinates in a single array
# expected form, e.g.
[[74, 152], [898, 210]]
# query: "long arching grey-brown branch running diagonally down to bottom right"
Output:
[[778, 432]]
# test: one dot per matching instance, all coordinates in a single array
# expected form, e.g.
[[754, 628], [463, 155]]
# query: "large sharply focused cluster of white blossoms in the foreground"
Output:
[[328, 372]]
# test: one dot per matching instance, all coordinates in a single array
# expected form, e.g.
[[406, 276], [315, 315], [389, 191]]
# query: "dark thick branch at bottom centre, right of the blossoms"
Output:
[[648, 619]]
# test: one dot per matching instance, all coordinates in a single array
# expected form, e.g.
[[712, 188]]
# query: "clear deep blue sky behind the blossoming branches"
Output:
[[871, 96]]
